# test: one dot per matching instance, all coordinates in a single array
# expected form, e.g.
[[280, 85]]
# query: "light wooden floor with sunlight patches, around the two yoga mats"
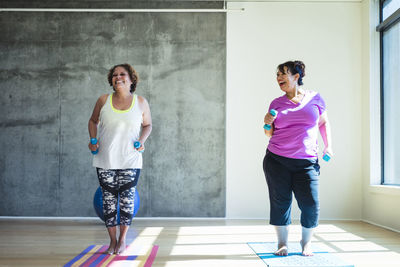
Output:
[[40, 242]]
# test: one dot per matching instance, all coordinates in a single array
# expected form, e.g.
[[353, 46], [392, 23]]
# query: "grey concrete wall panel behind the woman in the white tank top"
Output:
[[53, 67]]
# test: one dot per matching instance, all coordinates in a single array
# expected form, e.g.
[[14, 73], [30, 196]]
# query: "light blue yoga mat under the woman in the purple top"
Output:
[[321, 258]]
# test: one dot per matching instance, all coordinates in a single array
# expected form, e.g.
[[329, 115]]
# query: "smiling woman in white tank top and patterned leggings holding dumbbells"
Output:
[[118, 121]]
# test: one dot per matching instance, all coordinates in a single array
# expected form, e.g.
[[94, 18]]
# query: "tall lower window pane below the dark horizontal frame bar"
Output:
[[391, 92]]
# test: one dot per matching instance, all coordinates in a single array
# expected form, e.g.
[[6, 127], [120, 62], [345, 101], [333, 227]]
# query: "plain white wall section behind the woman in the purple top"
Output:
[[327, 37]]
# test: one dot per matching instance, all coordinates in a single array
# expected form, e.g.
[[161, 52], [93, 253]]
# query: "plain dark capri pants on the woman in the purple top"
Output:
[[287, 175]]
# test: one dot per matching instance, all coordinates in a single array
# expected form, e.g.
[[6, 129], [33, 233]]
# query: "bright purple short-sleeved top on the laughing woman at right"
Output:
[[296, 126]]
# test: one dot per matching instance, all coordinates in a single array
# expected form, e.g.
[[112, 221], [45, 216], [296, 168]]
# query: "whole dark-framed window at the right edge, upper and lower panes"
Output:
[[389, 29]]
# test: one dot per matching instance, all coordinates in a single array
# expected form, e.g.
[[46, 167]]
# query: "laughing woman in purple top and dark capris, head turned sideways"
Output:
[[291, 161]]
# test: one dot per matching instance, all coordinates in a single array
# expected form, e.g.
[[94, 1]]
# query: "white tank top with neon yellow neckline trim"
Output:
[[117, 131]]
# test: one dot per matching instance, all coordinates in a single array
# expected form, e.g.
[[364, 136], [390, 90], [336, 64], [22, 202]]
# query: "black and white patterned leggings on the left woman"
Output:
[[114, 183]]
